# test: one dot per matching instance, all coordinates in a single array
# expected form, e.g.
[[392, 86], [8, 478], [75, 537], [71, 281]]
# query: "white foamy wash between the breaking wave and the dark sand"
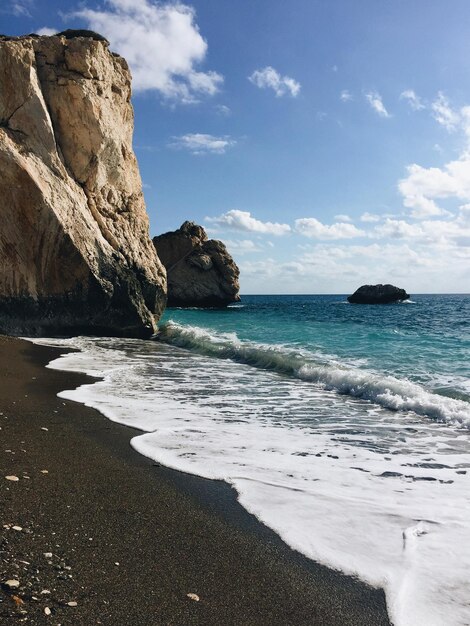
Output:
[[381, 495]]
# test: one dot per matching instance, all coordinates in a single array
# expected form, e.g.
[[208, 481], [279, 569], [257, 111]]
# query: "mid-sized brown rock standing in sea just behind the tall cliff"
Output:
[[200, 270]]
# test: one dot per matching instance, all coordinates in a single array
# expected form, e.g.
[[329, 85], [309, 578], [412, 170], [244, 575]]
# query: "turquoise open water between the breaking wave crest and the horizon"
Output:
[[425, 340]]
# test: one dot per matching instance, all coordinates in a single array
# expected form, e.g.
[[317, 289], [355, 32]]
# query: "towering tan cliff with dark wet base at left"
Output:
[[75, 253]]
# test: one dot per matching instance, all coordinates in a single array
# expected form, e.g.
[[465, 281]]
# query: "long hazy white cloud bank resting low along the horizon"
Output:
[[429, 256]]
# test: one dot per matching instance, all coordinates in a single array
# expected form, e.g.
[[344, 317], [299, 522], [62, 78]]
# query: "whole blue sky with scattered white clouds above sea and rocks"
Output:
[[326, 142]]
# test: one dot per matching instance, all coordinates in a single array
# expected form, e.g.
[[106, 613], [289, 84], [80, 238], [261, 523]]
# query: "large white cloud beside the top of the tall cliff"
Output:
[[162, 44]]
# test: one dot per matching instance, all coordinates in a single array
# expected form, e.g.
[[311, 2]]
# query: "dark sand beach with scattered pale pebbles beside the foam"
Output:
[[103, 527]]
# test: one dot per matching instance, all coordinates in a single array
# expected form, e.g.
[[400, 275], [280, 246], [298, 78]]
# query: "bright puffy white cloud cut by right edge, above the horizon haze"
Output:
[[423, 186]]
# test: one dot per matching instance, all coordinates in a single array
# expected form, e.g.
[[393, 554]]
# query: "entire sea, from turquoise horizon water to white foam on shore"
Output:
[[345, 428]]
